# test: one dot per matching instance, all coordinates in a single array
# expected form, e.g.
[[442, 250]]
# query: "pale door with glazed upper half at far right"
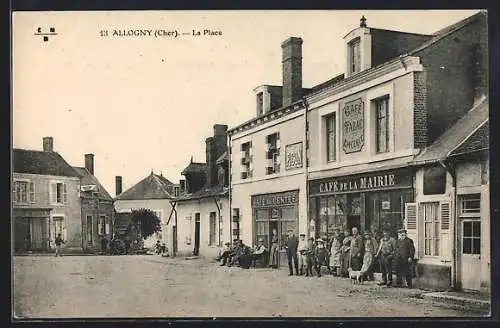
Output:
[[471, 254]]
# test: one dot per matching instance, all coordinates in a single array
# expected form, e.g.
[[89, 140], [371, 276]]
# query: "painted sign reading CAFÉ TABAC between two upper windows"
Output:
[[353, 129]]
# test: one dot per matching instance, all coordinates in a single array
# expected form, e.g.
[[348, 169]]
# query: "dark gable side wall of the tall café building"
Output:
[[452, 75]]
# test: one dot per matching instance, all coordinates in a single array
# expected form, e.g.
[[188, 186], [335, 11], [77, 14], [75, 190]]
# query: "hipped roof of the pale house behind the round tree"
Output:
[[151, 187]]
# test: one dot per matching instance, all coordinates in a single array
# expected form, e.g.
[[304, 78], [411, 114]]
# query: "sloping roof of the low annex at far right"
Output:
[[462, 133]]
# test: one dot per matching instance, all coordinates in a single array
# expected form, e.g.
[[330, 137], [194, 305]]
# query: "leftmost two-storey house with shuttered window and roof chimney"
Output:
[[45, 197]]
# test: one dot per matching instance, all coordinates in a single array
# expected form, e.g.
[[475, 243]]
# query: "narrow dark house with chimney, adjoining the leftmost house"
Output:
[[97, 207]]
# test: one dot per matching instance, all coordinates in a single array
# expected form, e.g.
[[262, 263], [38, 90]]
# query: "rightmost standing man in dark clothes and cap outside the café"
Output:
[[403, 256]]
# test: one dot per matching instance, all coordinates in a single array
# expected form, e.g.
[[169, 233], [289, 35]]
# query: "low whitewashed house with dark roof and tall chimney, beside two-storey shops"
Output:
[[202, 209]]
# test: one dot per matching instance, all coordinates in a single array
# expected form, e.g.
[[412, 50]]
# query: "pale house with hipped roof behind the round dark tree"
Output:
[[154, 192]]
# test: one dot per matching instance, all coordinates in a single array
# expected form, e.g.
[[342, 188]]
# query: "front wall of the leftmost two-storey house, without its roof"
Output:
[[71, 211]]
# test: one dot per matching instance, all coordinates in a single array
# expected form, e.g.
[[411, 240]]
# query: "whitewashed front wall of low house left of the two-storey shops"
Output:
[[186, 226]]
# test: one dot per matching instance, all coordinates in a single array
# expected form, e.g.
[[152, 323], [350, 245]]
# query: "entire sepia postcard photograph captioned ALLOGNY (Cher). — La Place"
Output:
[[250, 163]]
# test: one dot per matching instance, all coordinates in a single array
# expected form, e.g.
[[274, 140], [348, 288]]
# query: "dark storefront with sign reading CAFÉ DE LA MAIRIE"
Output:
[[370, 201]]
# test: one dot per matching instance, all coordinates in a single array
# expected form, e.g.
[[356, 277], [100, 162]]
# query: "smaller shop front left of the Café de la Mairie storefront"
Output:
[[275, 214]]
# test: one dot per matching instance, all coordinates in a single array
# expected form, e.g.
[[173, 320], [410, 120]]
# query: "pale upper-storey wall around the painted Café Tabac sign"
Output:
[[400, 91]]
